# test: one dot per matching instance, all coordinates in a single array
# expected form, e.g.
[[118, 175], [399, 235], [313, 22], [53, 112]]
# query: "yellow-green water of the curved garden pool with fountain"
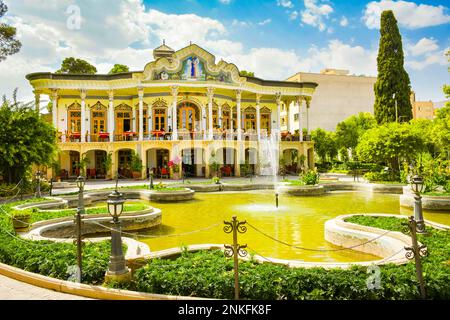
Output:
[[298, 221]]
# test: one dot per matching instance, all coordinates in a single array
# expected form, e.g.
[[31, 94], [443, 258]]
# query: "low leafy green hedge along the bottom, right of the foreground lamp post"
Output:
[[210, 274]]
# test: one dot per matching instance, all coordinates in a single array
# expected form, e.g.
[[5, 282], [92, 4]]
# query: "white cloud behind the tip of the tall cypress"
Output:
[[408, 14]]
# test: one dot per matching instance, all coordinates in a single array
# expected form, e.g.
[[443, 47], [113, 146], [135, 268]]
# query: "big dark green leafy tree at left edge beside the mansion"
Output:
[[25, 139]]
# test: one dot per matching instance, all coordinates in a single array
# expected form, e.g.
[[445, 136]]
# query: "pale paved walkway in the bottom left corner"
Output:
[[11, 289]]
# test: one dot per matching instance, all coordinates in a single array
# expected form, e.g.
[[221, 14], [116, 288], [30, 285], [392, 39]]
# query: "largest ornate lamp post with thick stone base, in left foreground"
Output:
[[117, 270]]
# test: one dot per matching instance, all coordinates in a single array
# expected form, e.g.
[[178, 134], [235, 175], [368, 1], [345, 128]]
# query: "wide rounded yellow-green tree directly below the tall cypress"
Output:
[[389, 144]]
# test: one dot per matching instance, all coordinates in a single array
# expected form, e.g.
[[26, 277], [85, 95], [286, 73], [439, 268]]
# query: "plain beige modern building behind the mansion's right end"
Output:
[[338, 96]]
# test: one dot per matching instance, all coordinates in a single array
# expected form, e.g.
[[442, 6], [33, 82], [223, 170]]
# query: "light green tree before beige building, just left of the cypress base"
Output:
[[349, 131]]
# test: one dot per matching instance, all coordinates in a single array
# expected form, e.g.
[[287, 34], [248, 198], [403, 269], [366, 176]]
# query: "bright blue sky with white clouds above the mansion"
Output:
[[273, 38]]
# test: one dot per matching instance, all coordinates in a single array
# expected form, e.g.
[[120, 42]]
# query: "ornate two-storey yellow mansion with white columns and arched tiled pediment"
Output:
[[183, 108]]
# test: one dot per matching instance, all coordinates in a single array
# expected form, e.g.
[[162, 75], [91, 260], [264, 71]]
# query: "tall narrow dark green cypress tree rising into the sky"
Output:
[[392, 77]]
